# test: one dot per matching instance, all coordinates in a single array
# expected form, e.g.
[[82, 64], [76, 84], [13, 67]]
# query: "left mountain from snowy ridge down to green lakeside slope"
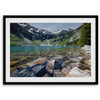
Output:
[[23, 33]]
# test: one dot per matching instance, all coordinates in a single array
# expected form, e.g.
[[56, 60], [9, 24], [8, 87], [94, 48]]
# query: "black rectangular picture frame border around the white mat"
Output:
[[49, 83]]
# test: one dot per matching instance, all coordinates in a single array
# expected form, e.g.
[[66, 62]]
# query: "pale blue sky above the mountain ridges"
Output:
[[55, 26]]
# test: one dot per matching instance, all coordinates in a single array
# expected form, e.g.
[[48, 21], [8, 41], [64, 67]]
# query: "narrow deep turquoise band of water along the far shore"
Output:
[[27, 49]]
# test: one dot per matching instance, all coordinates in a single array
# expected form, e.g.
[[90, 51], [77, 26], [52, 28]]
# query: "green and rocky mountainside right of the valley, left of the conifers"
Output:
[[66, 37]]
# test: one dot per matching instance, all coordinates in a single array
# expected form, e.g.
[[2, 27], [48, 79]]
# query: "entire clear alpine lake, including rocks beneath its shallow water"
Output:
[[46, 61]]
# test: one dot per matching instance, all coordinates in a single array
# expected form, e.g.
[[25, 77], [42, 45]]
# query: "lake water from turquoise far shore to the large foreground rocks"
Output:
[[21, 55]]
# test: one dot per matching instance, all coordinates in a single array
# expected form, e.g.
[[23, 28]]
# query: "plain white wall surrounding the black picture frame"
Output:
[[47, 7]]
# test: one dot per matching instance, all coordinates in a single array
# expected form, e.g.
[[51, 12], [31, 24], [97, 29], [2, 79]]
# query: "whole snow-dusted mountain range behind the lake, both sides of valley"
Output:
[[25, 34]]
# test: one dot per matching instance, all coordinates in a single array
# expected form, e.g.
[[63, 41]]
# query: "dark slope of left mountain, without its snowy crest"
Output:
[[22, 32]]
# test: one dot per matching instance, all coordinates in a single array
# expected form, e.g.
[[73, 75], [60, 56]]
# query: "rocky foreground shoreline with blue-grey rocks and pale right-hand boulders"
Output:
[[70, 65]]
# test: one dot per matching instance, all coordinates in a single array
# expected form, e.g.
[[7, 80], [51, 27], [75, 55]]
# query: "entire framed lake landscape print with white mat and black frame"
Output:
[[50, 50]]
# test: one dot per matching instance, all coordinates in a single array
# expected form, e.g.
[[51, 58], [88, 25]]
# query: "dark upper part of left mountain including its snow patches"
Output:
[[25, 30]]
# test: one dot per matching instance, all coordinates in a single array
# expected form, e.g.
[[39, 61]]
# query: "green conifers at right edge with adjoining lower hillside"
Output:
[[84, 38]]
